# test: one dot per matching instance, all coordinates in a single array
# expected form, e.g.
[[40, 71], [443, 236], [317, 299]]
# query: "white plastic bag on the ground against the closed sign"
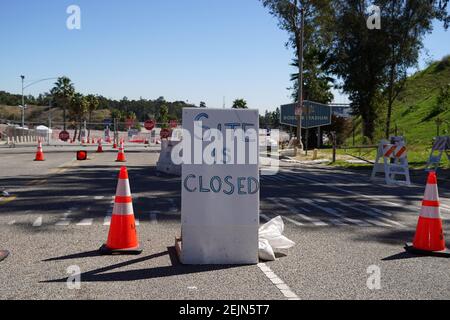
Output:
[[271, 239]]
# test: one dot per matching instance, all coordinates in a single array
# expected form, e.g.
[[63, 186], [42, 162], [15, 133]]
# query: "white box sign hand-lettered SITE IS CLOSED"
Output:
[[220, 202]]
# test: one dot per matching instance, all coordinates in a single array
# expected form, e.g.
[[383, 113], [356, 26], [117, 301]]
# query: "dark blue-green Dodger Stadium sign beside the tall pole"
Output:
[[314, 115]]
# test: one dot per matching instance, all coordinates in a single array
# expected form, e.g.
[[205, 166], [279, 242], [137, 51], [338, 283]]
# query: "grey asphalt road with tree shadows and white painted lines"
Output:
[[342, 225]]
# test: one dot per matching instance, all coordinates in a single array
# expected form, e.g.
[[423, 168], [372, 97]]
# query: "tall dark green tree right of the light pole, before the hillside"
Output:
[[371, 62]]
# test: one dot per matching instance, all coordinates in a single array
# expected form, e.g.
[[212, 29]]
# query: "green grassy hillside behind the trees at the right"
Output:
[[425, 98]]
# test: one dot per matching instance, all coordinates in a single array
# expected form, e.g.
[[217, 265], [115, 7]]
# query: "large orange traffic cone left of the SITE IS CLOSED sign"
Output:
[[122, 236]]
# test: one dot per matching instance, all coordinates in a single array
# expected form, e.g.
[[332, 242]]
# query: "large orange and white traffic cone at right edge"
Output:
[[429, 238]]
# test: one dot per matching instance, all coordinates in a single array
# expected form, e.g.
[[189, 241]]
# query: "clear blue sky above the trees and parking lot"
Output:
[[195, 50]]
